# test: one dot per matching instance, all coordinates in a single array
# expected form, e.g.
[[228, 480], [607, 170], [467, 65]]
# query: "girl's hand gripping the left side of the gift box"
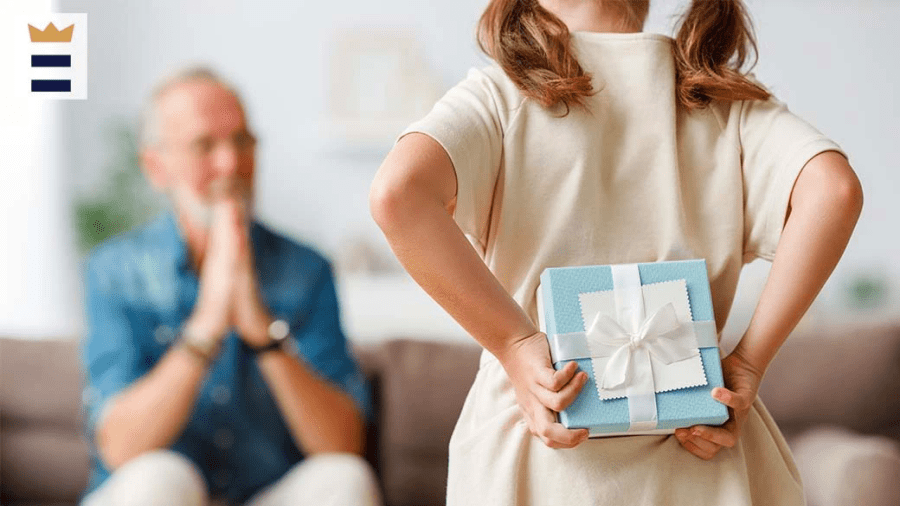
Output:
[[541, 390]]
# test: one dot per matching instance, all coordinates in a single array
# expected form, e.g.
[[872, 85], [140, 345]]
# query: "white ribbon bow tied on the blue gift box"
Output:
[[658, 334]]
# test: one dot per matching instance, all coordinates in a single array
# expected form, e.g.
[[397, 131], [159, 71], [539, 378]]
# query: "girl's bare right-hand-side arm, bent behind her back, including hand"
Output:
[[825, 205]]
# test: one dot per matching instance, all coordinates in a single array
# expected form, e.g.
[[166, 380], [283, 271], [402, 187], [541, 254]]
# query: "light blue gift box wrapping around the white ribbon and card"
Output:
[[561, 314]]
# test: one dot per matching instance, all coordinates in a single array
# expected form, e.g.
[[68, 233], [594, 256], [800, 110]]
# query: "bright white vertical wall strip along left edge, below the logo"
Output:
[[38, 282]]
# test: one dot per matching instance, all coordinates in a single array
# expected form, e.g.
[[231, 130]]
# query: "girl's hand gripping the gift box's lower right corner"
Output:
[[742, 380]]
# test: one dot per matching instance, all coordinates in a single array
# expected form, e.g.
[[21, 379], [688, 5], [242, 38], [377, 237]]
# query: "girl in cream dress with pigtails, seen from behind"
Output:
[[591, 142]]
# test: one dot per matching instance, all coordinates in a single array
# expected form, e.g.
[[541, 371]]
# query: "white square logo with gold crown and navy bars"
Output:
[[52, 56]]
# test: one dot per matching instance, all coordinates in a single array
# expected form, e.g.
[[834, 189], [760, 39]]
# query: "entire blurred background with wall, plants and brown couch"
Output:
[[328, 86]]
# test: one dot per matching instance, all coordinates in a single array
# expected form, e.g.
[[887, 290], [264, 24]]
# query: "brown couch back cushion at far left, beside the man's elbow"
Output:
[[40, 382]]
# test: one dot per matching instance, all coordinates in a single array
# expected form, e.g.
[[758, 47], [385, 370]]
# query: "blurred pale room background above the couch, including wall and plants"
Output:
[[328, 85]]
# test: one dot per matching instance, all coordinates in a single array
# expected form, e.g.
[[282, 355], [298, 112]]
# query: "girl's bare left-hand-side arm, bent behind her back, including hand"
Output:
[[412, 199]]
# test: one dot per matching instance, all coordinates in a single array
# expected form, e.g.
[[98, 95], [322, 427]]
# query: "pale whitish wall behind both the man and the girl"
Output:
[[831, 60]]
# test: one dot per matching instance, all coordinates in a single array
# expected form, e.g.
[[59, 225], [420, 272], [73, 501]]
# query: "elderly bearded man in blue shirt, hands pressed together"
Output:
[[216, 366]]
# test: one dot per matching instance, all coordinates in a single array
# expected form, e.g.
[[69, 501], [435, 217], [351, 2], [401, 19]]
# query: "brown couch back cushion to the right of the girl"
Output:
[[845, 376]]
